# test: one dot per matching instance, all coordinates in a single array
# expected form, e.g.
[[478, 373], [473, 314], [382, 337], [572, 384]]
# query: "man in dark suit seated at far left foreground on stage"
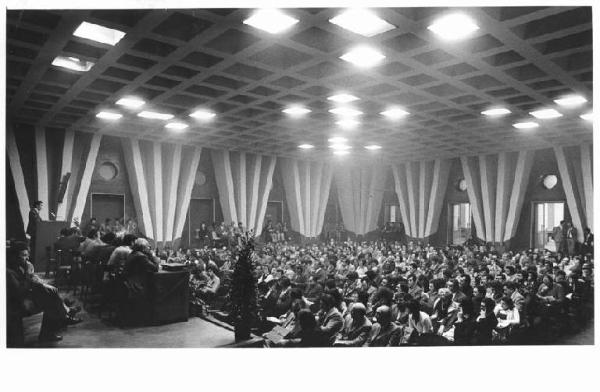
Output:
[[27, 294]]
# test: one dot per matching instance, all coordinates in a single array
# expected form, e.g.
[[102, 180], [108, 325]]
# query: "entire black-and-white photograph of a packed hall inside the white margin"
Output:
[[408, 177]]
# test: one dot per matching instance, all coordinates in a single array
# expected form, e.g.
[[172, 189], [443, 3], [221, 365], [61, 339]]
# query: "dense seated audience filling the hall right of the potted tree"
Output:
[[420, 295]]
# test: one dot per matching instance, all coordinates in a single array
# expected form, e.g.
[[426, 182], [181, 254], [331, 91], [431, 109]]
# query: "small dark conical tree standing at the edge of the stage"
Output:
[[243, 292]]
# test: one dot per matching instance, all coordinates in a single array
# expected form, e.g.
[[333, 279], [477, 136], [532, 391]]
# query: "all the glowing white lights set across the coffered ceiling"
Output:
[[360, 21]]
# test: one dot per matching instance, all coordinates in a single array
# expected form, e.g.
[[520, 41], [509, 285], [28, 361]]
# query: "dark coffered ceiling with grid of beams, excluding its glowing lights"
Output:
[[179, 60]]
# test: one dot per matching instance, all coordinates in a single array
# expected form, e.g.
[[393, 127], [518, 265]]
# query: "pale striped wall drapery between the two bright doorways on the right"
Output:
[[496, 186]]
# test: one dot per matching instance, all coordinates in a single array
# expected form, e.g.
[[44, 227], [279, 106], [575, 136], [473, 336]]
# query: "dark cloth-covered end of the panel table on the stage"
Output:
[[169, 296]]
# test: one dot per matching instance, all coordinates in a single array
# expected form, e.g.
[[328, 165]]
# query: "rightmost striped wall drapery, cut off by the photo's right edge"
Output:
[[575, 166]]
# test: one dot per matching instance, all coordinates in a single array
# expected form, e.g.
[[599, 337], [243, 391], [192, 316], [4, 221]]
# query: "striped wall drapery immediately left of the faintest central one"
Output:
[[306, 186]]
